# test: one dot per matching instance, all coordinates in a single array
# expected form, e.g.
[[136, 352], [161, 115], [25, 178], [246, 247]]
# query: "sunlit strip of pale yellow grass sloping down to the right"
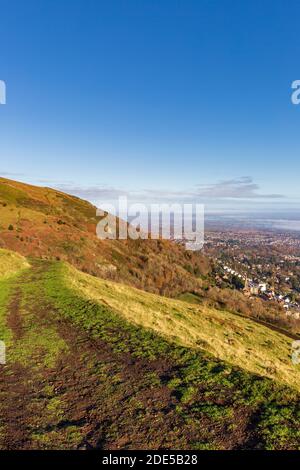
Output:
[[236, 340]]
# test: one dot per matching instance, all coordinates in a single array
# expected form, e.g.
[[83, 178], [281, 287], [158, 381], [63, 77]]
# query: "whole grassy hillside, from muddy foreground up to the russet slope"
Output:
[[94, 363]]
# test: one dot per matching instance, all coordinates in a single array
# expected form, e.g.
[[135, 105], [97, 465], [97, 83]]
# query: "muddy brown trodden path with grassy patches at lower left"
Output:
[[75, 403]]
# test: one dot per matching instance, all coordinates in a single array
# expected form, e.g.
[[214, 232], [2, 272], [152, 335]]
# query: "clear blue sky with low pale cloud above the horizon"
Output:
[[158, 98]]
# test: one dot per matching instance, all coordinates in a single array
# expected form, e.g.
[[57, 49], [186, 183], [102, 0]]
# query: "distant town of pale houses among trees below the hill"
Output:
[[259, 263]]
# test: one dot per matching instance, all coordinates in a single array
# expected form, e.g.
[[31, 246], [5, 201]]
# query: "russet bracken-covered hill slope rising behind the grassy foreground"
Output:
[[42, 222]]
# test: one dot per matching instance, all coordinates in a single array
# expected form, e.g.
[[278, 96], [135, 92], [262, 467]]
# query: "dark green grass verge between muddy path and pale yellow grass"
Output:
[[208, 391]]
